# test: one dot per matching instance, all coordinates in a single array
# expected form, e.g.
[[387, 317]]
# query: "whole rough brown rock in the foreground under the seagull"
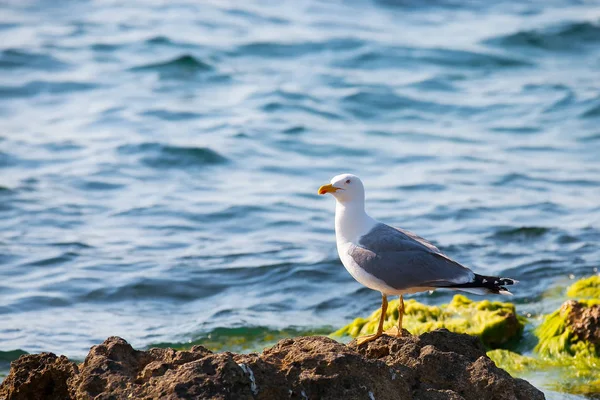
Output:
[[436, 365]]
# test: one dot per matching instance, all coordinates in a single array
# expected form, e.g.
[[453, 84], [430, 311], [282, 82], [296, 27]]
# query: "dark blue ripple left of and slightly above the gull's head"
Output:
[[160, 156]]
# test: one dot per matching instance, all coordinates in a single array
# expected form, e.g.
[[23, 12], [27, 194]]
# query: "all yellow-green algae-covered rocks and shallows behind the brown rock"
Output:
[[563, 345]]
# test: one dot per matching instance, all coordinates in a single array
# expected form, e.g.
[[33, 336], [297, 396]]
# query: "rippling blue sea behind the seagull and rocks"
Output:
[[159, 160]]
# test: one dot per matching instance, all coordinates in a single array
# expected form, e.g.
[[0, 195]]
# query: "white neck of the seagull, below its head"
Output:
[[351, 221]]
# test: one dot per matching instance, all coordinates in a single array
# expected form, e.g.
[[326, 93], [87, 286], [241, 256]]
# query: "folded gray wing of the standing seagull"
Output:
[[404, 260]]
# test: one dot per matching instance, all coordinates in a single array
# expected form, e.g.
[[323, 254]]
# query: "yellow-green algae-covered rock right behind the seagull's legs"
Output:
[[495, 322]]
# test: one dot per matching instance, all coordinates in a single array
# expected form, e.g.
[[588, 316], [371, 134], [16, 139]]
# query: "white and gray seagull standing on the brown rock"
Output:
[[394, 261]]
